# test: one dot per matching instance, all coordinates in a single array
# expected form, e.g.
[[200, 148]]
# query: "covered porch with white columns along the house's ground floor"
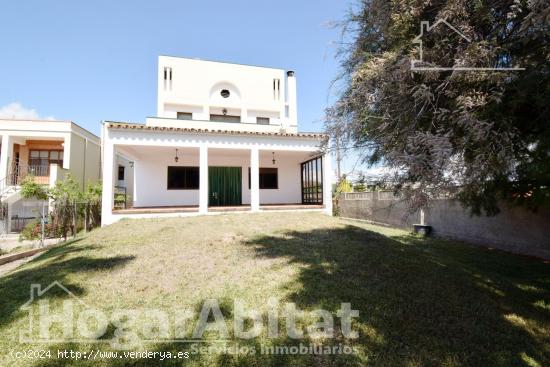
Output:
[[181, 180]]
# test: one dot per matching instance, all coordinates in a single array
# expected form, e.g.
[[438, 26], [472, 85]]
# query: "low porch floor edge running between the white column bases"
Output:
[[212, 209]]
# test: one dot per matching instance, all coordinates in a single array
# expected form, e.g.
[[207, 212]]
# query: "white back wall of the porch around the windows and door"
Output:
[[151, 179]]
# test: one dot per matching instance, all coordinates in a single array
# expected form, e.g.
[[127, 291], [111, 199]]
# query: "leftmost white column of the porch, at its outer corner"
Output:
[[107, 197]]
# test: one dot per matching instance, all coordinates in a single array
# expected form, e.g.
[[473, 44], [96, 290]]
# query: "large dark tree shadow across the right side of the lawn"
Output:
[[422, 302]]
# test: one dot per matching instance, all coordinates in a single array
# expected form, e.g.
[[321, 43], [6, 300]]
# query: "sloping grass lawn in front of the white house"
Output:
[[422, 302]]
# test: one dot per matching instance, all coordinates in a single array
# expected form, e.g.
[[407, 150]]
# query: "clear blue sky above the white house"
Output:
[[88, 61]]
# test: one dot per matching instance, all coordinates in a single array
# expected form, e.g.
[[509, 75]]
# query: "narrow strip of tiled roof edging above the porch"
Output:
[[131, 126]]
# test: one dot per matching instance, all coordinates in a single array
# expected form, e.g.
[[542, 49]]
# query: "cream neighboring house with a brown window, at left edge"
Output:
[[47, 150]]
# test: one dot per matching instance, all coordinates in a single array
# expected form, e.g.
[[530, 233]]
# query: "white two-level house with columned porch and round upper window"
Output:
[[225, 139]]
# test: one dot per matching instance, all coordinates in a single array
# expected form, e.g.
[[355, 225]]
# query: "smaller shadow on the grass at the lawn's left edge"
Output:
[[53, 265]]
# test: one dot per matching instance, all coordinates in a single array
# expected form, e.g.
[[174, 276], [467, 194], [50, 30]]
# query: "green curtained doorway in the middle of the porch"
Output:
[[224, 186]]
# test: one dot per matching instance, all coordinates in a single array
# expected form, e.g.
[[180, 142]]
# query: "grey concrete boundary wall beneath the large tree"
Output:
[[514, 229]]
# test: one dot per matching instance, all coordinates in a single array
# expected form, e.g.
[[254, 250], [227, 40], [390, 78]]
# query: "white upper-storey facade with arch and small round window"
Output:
[[196, 84]]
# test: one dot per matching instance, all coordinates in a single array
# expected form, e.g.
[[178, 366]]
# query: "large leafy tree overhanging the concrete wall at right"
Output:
[[480, 136]]
